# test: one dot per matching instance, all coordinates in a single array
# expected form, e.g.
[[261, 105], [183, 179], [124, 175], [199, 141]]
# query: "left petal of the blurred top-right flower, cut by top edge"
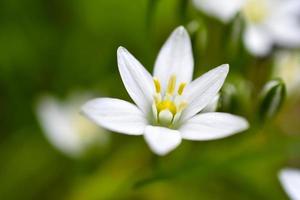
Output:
[[224, 10]]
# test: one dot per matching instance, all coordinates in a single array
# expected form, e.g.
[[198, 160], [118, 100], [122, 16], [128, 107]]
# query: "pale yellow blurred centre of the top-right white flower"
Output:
[[255, 11]]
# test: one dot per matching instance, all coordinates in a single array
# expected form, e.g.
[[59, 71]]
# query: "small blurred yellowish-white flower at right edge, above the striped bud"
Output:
[[287, 67]]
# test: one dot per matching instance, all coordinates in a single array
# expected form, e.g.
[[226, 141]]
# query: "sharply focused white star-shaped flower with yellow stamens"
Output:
[[167, 104]]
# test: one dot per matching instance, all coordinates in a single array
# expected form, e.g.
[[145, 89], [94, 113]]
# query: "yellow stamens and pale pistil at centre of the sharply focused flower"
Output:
[[167, 107]]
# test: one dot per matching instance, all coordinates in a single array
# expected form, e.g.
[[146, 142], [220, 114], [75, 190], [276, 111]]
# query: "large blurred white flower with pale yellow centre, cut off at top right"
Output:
[[268, 22]]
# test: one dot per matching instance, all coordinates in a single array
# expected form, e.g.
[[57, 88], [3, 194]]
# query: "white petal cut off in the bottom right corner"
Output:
[[290, 180]]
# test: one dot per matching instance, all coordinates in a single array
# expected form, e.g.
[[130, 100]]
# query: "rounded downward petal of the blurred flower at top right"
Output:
[[257, 40]]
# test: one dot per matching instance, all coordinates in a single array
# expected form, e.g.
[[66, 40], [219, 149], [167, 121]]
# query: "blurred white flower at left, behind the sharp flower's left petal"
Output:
[[66, 128]]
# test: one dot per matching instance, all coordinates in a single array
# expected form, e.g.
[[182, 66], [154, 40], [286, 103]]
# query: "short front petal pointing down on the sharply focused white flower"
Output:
[[162, 140]]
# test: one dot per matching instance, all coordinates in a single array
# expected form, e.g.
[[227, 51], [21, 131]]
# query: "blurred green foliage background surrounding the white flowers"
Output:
[[57, 47]]
